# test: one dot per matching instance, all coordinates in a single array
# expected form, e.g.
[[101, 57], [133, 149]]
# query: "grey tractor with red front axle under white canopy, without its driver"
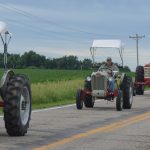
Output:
[[96, 86]]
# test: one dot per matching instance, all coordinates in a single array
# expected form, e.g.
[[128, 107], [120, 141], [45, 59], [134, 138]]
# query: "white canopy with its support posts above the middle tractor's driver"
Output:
[[117, 44]]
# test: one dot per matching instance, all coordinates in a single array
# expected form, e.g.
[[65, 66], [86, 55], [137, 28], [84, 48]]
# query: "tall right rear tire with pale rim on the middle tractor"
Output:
[[127, 92]]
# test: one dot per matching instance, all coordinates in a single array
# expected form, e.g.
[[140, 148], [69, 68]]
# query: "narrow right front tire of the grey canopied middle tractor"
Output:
[[119, 101]]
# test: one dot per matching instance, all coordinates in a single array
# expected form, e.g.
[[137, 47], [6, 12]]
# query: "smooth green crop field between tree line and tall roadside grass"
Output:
[[43, 75]]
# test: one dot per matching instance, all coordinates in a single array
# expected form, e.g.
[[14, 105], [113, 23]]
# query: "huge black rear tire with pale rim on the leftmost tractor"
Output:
[[17, 105]]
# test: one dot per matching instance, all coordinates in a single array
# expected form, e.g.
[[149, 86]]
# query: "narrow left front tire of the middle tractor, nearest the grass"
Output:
[[79, 100]]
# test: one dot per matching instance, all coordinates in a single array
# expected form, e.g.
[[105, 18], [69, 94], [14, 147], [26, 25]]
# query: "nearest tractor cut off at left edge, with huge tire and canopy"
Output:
[[15, 92]]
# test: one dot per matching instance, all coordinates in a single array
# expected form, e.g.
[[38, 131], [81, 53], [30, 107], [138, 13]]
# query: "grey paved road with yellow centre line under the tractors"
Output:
[[100, 128]]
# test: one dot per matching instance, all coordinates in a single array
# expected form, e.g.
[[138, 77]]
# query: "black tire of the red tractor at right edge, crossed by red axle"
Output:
[[139, 77]]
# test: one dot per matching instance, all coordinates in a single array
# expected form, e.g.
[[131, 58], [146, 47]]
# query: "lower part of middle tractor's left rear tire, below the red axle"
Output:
[[89, 101]]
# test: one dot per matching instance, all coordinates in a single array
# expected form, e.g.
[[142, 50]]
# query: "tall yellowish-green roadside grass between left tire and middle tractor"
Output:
[[54, 93]]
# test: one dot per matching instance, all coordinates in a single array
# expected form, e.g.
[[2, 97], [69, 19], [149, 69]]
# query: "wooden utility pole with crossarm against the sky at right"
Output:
[[137, 38]]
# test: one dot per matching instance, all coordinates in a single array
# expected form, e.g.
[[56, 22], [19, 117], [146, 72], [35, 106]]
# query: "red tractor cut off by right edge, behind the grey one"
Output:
[[142, 78]]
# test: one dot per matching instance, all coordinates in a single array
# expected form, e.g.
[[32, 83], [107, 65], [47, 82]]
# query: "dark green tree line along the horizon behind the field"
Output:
[[33, 60]]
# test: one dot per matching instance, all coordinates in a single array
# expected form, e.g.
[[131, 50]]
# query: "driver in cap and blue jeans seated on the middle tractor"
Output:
[[110, 65]]
